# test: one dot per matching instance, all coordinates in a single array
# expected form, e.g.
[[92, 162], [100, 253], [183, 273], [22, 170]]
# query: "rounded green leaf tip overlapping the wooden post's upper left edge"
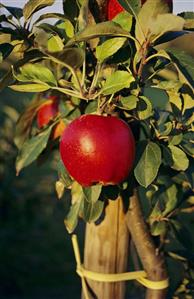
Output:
[[92, 210]]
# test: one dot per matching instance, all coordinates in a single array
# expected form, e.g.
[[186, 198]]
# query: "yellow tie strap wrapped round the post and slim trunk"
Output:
[[140, 276]]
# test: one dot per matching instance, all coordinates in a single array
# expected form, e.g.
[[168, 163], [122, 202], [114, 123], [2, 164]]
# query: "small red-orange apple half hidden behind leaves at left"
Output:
[[48, 111]]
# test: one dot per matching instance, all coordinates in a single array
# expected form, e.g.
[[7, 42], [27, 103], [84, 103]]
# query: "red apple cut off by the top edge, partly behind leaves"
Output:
[[114, 7]]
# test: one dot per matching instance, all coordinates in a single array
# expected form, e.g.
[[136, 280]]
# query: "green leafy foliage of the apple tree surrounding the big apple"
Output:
[[121, 74]]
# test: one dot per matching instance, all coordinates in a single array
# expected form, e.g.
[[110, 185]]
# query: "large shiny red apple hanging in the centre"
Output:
[[98, 149]]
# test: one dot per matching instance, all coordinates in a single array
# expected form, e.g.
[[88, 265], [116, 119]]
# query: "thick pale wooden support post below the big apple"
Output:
[[106, 250]]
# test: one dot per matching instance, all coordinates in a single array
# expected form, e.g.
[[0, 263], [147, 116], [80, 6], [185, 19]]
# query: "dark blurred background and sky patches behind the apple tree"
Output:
[[36, 256]]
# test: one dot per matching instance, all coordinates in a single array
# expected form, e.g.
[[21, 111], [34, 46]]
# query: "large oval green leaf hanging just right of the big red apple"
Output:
[[147, 167]]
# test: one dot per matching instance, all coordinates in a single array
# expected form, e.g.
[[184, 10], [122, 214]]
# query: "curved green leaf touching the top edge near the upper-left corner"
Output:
[[33, 6]]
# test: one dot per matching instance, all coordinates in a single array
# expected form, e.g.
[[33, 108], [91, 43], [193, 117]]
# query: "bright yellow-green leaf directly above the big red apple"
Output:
[[117, 81]]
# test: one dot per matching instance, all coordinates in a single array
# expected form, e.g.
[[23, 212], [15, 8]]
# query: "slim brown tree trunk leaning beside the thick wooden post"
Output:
[[152, 262]]
